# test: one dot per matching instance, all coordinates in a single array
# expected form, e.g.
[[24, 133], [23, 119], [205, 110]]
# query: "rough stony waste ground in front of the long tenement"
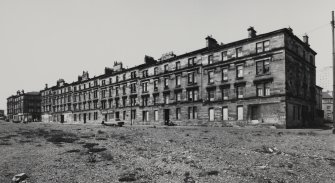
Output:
[[94, 153]]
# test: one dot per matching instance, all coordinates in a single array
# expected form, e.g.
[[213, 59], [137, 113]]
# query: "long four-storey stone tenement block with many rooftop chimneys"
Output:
[[267, 78]]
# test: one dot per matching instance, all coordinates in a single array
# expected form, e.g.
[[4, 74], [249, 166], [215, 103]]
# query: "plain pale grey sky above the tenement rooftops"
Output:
[[43, 40]]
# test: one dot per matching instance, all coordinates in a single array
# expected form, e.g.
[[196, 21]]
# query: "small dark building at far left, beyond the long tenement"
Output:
[[24, 106]]
